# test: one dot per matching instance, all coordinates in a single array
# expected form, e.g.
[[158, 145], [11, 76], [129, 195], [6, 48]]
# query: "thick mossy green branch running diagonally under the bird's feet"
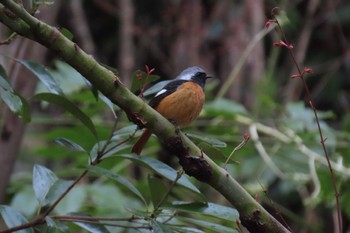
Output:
[[195, 163]]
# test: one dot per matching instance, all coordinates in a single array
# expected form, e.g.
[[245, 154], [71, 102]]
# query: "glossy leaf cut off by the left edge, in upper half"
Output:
[[14, 101]]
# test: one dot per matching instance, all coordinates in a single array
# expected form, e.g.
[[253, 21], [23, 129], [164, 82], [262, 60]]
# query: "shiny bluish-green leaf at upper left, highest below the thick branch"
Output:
[[43, 75]]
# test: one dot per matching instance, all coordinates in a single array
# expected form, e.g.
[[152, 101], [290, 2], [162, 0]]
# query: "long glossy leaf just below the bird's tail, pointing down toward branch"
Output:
[[163, 170]]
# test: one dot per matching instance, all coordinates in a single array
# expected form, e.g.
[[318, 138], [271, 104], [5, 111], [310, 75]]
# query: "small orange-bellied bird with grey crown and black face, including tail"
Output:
[[180, 101]]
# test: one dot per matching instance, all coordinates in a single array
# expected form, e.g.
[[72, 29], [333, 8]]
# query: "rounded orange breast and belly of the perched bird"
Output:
[[184, 105]]
